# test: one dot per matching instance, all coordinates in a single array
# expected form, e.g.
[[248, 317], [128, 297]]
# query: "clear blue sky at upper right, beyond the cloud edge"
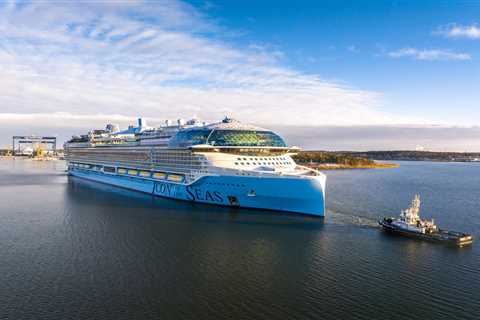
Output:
[[350, 41]]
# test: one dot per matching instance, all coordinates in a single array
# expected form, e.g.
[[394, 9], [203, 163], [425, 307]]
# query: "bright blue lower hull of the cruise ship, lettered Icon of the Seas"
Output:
[[299, 195]]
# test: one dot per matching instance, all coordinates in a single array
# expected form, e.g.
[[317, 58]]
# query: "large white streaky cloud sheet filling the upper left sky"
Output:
[[71, 62]]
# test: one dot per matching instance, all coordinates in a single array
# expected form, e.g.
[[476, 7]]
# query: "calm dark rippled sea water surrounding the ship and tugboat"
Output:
[[72, 249]]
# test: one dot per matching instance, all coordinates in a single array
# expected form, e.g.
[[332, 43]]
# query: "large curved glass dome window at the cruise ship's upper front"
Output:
[[247, 138]]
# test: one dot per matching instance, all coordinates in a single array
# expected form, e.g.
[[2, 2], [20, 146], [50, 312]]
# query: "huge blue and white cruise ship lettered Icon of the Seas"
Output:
[[225, 163]]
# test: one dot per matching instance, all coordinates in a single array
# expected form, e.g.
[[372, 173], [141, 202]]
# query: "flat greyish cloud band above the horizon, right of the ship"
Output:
[[396, 137]]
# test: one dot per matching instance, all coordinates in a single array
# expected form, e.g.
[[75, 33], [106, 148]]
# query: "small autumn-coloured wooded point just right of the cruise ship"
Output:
[[321, 157]]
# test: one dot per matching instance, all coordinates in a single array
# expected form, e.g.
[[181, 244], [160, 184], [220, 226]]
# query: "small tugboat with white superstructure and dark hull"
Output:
[[410, 224]]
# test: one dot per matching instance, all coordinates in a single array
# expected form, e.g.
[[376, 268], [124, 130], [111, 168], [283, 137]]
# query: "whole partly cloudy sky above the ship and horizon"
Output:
[[358, 75]]
